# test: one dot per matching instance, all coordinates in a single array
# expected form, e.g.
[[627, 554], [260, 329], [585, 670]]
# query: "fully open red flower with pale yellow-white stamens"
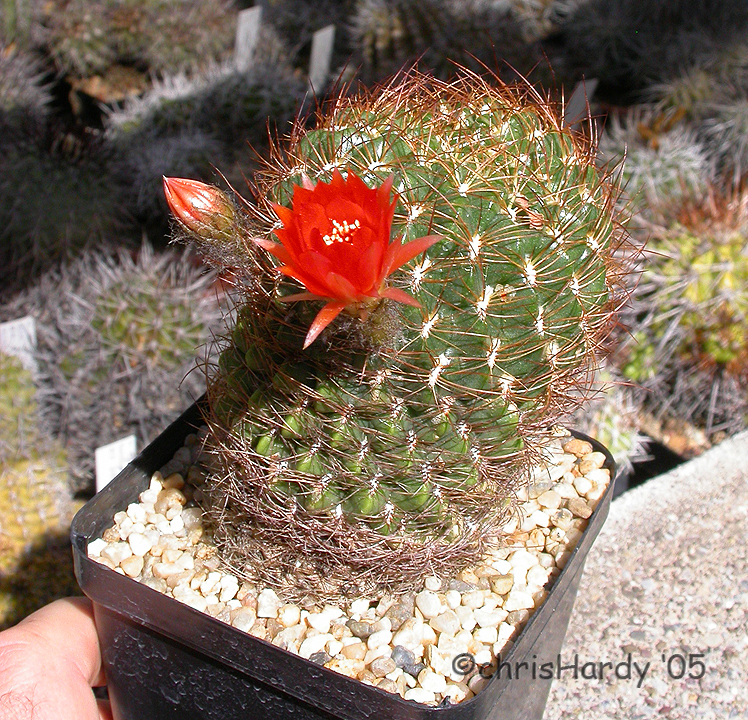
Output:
[[336, 242]]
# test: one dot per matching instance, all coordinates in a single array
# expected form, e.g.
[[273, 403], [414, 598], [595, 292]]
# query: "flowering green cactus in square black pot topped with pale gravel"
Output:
[[424, 282]]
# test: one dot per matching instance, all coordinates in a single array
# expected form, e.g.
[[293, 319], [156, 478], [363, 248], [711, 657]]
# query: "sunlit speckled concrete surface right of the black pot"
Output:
[[666, 584]]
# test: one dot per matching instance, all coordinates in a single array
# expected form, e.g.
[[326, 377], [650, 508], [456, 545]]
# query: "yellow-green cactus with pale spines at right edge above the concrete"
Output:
[[688, 350]]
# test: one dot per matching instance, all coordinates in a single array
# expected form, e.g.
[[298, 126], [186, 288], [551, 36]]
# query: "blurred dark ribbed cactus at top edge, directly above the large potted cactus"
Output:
[[440, 35]]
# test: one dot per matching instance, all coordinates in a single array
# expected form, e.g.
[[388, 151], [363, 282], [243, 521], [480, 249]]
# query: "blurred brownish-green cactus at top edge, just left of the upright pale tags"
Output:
[[85, 38]]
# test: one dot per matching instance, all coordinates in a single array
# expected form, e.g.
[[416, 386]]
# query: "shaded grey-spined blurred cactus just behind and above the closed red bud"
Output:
[[186, 125]]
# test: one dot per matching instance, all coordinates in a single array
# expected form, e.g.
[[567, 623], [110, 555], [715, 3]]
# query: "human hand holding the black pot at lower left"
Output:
[[48, 664]]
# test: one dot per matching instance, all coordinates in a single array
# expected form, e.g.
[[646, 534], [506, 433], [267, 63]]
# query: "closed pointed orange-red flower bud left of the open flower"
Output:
[[199, 207]]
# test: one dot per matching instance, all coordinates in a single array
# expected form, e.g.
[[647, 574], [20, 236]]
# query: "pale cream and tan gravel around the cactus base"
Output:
[[435, 644]]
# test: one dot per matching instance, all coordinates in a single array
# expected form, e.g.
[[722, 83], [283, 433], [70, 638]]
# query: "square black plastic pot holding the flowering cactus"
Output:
[[164, 659]]
